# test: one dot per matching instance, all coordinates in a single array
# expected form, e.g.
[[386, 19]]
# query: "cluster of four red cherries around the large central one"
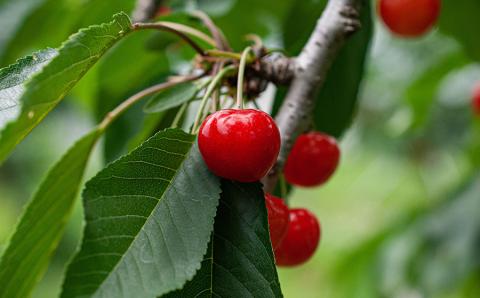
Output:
[[243, 145]]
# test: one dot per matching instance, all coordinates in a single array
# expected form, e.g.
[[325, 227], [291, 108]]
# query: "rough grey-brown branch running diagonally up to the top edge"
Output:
[[339, 20]]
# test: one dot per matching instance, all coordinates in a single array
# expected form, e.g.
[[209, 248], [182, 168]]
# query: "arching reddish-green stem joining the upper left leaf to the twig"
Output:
[[180, 30]]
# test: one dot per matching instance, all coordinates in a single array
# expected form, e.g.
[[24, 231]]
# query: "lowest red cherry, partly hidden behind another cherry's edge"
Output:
[[301, 241]]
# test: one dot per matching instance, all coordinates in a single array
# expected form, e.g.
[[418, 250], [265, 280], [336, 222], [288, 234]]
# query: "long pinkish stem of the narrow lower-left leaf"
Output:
[[121, 108]]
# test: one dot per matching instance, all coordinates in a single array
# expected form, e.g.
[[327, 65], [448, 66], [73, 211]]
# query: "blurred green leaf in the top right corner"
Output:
[[459, 19]]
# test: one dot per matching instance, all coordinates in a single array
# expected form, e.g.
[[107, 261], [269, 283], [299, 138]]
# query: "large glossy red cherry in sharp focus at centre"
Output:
[[240, 145]]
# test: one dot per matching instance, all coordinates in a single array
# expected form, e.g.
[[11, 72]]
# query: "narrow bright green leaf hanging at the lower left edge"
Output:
[[42, 224]]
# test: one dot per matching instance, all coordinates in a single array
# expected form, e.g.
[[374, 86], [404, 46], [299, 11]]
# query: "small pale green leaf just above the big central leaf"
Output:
[[172, 97]]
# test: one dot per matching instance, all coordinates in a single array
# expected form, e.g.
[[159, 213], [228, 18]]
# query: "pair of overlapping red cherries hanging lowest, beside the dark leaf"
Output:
[[295, 233]]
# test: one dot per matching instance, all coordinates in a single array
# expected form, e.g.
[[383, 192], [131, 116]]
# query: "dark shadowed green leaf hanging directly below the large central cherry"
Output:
[[239, 261]]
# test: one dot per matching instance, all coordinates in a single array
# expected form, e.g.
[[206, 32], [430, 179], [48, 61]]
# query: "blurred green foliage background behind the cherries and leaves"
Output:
[[401, 216]]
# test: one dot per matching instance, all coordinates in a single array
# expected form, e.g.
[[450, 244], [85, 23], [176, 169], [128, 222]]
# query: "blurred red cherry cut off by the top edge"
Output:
[[409, 18]]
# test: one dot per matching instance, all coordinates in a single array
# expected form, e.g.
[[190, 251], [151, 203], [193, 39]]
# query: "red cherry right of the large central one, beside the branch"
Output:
[[313, 159]]
